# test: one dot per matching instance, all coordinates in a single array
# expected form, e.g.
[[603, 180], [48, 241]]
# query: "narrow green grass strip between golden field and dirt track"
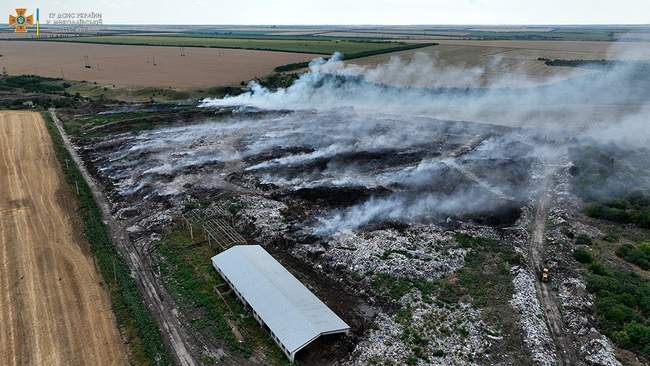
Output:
[[133, 317]]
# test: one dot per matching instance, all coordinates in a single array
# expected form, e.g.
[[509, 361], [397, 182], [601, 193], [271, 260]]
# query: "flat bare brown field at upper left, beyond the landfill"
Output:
[[132, 66]]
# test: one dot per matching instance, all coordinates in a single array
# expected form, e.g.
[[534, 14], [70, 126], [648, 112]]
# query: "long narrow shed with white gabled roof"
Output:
[[293, 314]]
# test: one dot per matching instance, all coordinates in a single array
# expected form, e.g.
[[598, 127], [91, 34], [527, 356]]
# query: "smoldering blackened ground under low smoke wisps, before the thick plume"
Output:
[[412, 170]]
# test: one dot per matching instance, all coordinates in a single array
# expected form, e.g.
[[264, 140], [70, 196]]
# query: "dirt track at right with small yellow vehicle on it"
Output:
[[565, 350]]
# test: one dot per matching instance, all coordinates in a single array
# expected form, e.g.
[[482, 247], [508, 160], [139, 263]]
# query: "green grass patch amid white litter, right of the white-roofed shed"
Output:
[[485, 281]]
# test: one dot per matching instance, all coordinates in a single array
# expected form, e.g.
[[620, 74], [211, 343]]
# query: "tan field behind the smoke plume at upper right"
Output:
[[513, 60]]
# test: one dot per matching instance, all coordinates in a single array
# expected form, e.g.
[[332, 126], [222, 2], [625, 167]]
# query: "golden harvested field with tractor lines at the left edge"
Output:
[[53, 310]]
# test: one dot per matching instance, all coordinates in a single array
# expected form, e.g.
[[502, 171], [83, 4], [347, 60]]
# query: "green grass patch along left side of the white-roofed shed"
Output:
[[191, 279]]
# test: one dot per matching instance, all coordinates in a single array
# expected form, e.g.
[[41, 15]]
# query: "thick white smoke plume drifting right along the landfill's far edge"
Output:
[[577, 100]]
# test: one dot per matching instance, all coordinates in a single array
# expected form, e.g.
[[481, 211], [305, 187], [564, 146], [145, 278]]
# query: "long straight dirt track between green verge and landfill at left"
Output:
[[162, 304]]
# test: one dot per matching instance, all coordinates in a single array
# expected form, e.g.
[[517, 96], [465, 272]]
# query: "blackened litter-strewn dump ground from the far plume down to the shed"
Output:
[[325, 193]]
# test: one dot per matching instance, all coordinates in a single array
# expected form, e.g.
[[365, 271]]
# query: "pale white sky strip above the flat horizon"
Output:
[[349, 12]]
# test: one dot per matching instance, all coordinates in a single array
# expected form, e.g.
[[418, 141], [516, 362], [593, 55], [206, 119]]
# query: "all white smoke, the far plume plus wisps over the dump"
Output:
[[610, 105]]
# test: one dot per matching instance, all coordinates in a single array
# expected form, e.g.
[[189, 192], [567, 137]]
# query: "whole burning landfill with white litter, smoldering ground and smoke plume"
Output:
[[362, 179]]
